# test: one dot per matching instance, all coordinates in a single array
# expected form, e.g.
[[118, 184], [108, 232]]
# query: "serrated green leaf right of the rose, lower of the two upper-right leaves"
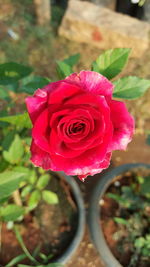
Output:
[[130, 87]]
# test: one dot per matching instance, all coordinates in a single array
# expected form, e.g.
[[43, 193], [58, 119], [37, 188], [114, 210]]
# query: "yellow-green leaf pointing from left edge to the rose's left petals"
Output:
[[19, 120]]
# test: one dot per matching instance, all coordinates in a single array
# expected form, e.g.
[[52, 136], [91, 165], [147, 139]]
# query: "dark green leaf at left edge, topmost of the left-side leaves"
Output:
[[12, 72]]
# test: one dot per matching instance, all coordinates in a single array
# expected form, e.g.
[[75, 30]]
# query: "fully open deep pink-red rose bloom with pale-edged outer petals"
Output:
[[77, 125]]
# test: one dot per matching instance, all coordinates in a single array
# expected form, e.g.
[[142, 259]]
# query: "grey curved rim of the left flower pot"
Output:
[[68, 253]]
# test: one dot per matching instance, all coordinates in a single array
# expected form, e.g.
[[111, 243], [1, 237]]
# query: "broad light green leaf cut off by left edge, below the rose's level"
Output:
[[9, 182]]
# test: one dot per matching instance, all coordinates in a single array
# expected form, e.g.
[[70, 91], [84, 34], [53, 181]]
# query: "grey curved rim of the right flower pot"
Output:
[[95, 229]]
